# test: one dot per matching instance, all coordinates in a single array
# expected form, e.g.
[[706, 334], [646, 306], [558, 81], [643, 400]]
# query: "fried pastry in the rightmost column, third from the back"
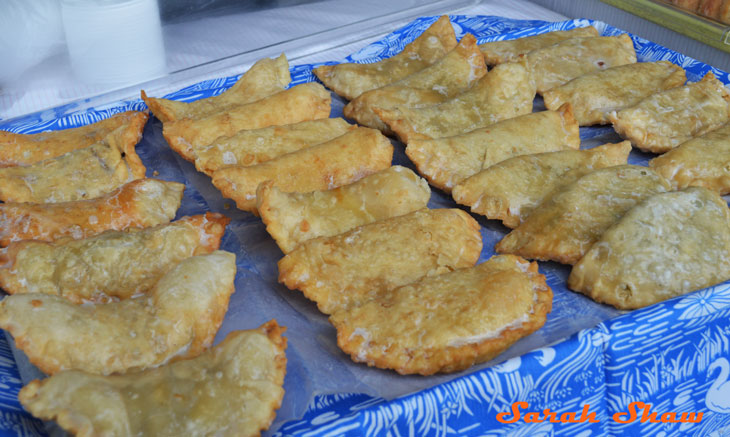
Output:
[[595, 94]]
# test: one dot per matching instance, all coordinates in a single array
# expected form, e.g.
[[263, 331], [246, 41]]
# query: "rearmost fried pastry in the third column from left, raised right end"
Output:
[[350, 80]]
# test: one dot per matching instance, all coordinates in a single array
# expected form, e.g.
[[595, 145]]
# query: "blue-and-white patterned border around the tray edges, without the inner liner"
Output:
[[673, 355]]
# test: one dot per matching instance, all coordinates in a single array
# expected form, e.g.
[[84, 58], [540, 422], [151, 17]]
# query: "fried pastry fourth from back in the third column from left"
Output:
[[446, 162]]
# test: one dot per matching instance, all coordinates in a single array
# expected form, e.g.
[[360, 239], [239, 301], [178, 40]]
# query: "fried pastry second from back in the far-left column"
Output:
[[77, 175]]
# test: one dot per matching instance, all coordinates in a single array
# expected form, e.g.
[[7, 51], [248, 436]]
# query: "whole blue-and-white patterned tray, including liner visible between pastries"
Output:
[[674, 355]]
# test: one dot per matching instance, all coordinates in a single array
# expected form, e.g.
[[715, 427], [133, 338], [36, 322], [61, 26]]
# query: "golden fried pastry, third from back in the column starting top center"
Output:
[[505, 92]]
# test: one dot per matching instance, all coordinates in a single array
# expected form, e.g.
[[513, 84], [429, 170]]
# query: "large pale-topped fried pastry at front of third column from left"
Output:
[[668, 245]]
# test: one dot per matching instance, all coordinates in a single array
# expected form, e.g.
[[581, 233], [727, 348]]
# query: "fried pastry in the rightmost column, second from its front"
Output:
[[665, 120]]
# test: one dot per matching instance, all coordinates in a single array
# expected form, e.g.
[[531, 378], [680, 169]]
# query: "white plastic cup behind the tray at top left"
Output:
[[114, 42]]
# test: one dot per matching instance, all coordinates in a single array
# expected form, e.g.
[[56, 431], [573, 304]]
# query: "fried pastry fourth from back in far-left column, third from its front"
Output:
[[115, 264]]
